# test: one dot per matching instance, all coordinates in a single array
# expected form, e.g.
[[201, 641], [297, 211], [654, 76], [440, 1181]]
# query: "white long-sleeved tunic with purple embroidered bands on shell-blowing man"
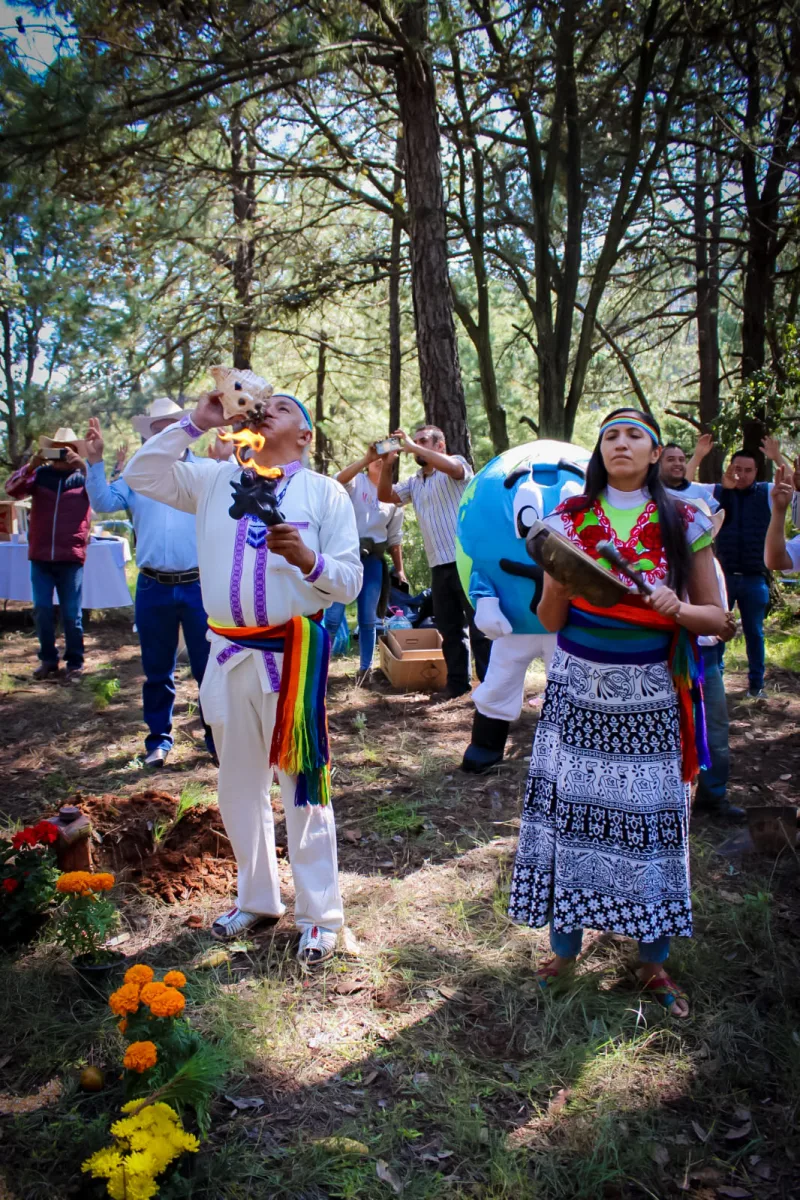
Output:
[[244, 584]]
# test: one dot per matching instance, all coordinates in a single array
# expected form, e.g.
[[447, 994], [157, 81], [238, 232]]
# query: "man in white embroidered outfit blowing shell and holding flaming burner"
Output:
[[267, 574]]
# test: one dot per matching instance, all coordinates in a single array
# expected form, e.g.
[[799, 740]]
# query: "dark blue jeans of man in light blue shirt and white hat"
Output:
[[161, 609]]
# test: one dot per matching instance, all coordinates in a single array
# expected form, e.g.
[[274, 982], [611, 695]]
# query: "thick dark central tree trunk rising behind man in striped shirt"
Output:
[[443, 392]]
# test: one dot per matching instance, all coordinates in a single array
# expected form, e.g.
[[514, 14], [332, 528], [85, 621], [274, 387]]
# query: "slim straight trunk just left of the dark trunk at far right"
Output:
[[707, 272]]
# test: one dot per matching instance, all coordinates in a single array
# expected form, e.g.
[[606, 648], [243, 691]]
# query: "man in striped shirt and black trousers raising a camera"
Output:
[[436, 493]]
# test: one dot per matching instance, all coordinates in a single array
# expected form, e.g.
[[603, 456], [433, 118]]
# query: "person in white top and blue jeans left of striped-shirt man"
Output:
[[381, 531]]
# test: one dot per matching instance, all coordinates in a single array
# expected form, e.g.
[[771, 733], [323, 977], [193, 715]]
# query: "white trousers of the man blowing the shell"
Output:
[[243, 723]]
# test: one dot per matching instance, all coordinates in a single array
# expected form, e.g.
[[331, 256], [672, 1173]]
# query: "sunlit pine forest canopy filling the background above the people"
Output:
[[501, 218]]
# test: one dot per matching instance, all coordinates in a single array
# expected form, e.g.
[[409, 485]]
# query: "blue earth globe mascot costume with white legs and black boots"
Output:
[[504, 586]]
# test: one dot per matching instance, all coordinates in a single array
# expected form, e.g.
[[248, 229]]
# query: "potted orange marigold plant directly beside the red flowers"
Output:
[[86, 919]]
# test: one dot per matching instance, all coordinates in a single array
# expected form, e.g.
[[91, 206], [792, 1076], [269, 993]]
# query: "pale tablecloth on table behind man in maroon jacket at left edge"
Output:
[[105, 585]]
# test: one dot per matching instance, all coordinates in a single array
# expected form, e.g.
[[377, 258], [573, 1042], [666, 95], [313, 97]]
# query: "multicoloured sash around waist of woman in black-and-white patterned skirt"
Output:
[[681, 650]]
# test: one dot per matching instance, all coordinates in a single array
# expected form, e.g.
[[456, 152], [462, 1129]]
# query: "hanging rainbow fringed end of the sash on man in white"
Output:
[[300, 745]]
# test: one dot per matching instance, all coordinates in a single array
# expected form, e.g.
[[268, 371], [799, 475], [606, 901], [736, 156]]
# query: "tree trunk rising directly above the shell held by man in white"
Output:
[[243, 182]]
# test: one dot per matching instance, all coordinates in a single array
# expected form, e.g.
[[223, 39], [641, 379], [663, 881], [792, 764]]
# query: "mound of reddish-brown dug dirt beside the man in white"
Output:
[[140, 838]]
